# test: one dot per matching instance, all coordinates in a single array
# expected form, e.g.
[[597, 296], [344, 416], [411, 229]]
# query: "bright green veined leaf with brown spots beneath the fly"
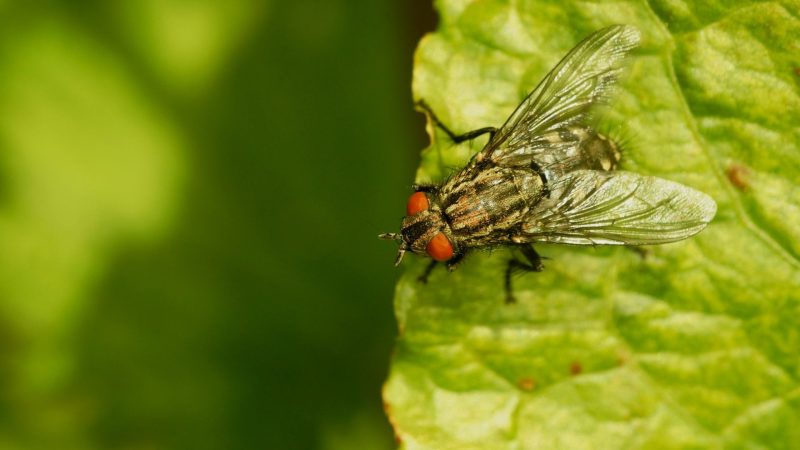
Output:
[[694, 345]]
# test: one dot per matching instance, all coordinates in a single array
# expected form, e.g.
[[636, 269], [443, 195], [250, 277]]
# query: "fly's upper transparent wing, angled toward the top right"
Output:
[[582, 79]]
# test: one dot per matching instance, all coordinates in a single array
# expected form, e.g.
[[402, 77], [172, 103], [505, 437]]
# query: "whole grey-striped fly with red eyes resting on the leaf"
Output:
[[546, 176]]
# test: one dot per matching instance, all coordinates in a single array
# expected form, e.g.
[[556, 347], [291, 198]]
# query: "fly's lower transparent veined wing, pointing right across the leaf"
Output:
[[590, 207]]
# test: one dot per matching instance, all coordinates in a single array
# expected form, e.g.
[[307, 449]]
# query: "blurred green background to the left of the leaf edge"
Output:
[[190, 194]]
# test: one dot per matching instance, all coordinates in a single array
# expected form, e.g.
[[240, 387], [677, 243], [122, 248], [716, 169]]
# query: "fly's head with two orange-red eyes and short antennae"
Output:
[[424, 230]]
